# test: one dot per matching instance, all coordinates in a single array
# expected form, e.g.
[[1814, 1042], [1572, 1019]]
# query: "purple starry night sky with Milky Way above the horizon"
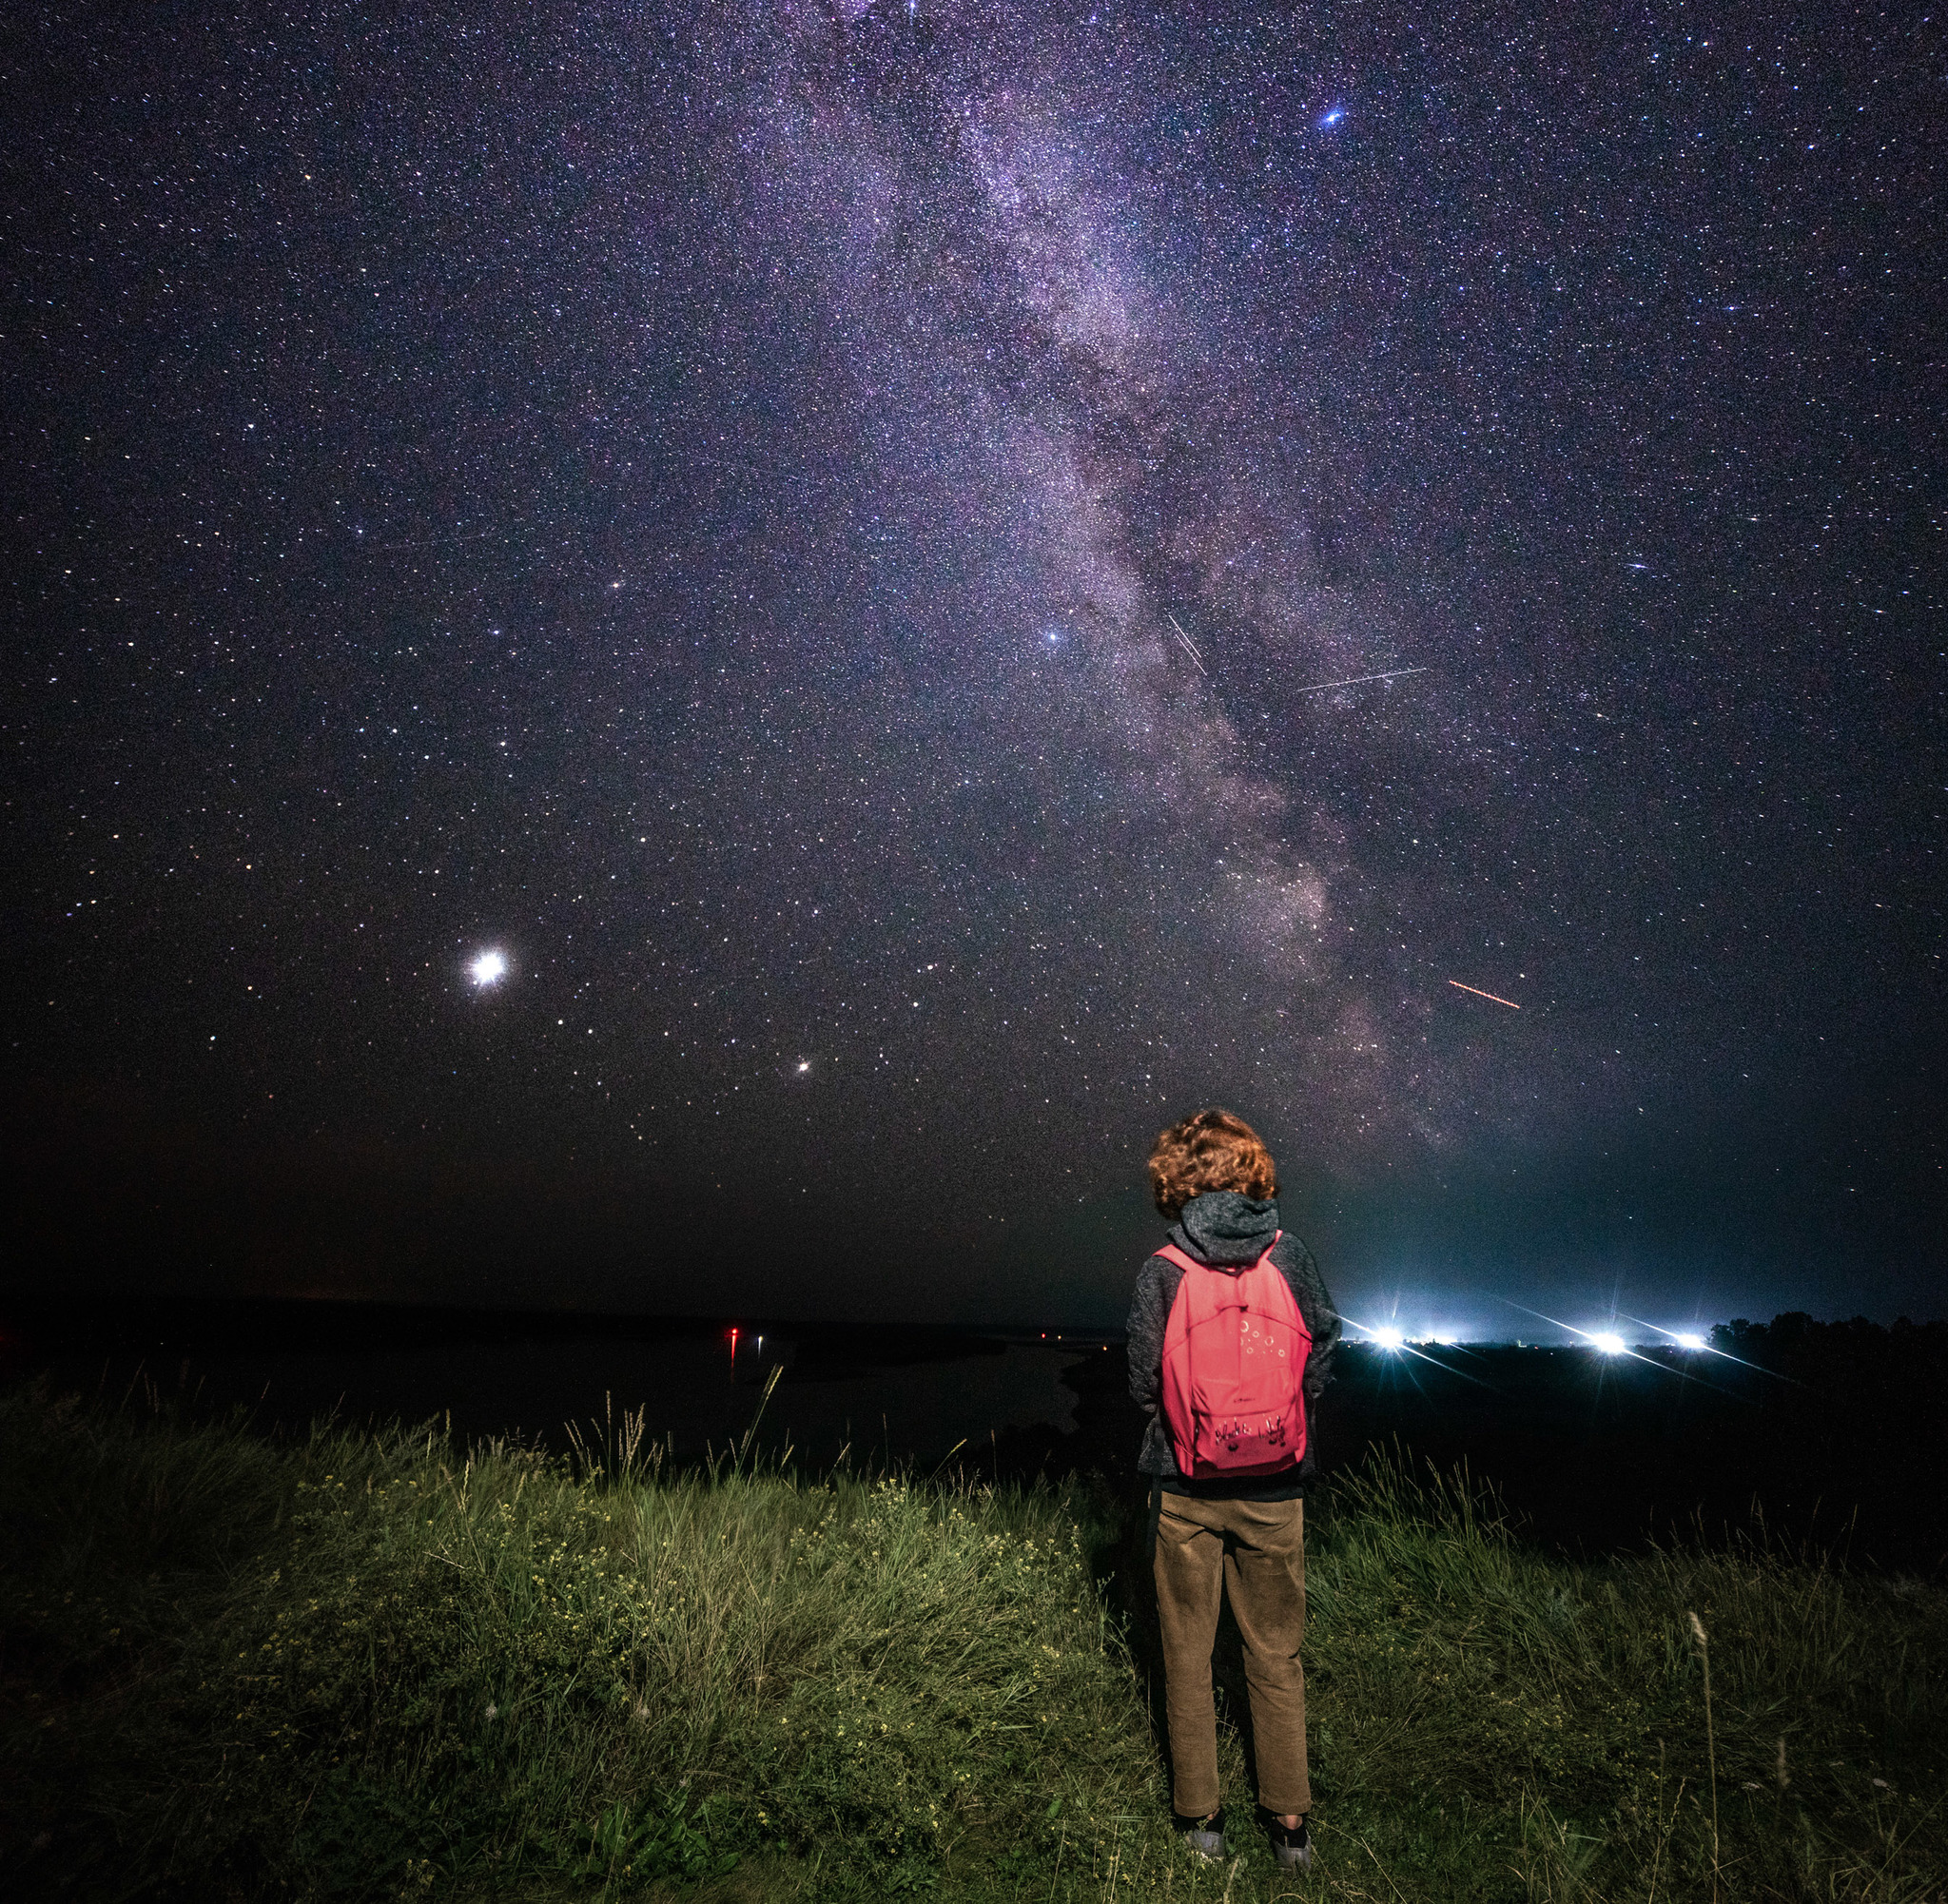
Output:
[[944, 585]]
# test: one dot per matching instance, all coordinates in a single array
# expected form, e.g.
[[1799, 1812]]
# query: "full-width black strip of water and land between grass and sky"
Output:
[[1824, 1436]]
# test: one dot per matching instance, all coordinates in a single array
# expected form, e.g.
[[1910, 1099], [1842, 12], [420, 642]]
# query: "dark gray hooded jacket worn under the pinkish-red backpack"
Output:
[[1226, 1229]]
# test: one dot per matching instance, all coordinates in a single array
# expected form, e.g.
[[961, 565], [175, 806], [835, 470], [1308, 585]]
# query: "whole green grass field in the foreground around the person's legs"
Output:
[[371, 1666]]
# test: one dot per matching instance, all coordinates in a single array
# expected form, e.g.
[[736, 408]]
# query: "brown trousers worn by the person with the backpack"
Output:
[[1255, 1555]]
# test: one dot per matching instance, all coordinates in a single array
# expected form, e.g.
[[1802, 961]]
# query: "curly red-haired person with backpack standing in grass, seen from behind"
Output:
[[1232, 1336]]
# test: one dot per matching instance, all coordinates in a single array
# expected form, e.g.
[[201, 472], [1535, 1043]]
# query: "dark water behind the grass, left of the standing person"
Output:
[[885, 1397]]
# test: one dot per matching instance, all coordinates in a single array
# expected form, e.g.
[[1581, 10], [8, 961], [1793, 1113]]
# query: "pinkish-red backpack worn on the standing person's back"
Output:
[[1234, 1370]]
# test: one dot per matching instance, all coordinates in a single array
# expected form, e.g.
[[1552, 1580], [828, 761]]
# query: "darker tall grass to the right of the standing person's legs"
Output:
[[1472, 1695]]
